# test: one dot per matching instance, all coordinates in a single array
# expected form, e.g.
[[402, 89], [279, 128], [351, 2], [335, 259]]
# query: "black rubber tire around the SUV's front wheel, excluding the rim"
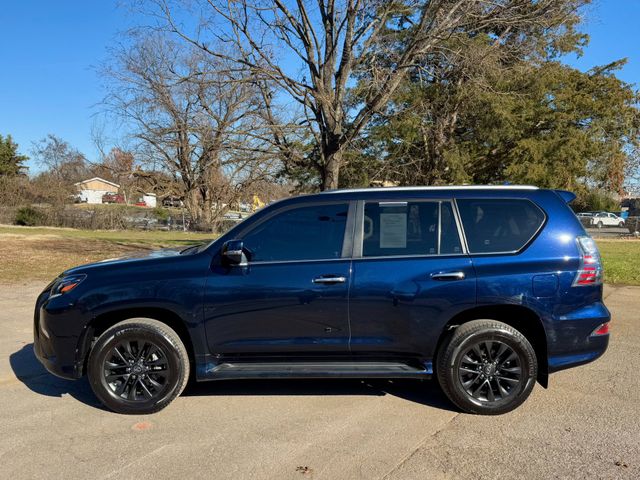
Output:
[[103, 348]]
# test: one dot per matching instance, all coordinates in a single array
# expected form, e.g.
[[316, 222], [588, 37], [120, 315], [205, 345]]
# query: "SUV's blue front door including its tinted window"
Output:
[[291, 298]]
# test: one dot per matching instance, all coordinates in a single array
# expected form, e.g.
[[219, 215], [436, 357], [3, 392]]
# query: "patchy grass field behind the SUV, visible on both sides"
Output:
[[39, 253]]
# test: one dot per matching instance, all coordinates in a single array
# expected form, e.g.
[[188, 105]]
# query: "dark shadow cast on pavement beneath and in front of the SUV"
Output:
[[29, 371]]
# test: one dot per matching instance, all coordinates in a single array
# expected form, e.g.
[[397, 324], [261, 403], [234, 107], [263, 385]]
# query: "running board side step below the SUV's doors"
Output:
[[317, 370]]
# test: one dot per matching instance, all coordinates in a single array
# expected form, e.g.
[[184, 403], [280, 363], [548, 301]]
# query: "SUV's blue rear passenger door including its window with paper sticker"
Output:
[[411, 274]]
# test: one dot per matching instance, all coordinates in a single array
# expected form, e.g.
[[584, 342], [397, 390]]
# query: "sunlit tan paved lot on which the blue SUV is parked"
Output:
[[585, 426]]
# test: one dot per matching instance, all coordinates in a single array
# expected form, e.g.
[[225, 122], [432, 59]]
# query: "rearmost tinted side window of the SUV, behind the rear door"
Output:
[[499, 225]]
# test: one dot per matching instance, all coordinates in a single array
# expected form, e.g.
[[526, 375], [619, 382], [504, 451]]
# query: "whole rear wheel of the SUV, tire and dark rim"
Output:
[[490, 383]]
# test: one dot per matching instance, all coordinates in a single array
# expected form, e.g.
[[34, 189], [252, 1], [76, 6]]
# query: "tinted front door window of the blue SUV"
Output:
[[307, 233]]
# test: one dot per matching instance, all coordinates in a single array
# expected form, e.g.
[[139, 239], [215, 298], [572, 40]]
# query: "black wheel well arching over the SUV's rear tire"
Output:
[[521, 318]]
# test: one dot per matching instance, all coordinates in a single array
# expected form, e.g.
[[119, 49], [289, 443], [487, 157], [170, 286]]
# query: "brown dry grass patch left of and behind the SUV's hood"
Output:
[[43, 257]]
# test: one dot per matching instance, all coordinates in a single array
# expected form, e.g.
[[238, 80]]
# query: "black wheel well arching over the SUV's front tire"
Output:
[[102, 322]]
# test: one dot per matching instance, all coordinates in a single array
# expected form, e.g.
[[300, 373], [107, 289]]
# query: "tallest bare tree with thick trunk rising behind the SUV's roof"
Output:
[[313, 51]]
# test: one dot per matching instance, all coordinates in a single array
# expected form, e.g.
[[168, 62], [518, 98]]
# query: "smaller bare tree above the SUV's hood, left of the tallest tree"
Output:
[[192, 117]]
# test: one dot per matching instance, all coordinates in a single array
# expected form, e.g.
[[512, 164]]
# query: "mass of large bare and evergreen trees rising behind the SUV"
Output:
[[220, 96]]
